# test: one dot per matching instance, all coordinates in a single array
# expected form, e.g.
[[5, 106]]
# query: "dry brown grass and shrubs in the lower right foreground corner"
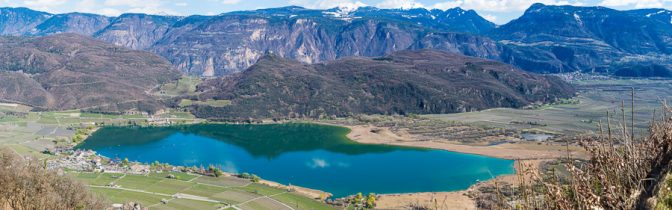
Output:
[[621, 173]]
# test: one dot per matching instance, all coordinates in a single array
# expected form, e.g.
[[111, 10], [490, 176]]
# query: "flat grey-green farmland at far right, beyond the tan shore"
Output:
[[595, 98]]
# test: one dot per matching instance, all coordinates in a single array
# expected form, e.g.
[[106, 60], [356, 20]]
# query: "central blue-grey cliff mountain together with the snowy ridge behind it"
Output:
[[231, 42]]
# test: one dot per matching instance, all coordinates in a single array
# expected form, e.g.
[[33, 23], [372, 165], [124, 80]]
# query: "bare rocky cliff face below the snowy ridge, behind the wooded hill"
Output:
[[229, 43]]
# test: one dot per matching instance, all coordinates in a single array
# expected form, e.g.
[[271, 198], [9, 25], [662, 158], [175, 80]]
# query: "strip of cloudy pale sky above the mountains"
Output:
[[498, 11]]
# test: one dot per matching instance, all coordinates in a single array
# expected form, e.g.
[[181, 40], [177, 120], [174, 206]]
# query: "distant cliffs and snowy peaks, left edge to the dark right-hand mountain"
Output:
[[259, 32]]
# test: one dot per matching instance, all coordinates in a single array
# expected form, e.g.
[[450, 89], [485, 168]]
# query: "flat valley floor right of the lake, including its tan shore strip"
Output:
[[494, 133]]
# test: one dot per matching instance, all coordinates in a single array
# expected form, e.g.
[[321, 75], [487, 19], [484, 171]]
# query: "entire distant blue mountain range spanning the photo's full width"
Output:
[[545, 39]]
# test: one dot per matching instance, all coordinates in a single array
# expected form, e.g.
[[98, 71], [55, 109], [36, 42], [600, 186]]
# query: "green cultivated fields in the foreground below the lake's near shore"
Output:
[[189, 191]]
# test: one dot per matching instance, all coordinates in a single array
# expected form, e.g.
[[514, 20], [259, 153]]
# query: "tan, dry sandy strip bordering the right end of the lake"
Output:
[[526, 154]]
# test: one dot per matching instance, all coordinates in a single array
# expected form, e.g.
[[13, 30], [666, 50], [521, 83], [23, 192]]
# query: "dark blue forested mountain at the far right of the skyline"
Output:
[[557, 39]]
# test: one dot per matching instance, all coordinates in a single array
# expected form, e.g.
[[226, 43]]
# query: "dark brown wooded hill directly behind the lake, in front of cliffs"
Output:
[[405, 82]]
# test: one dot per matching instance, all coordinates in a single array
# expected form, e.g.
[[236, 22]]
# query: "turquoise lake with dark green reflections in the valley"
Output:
[[308, 155]]
